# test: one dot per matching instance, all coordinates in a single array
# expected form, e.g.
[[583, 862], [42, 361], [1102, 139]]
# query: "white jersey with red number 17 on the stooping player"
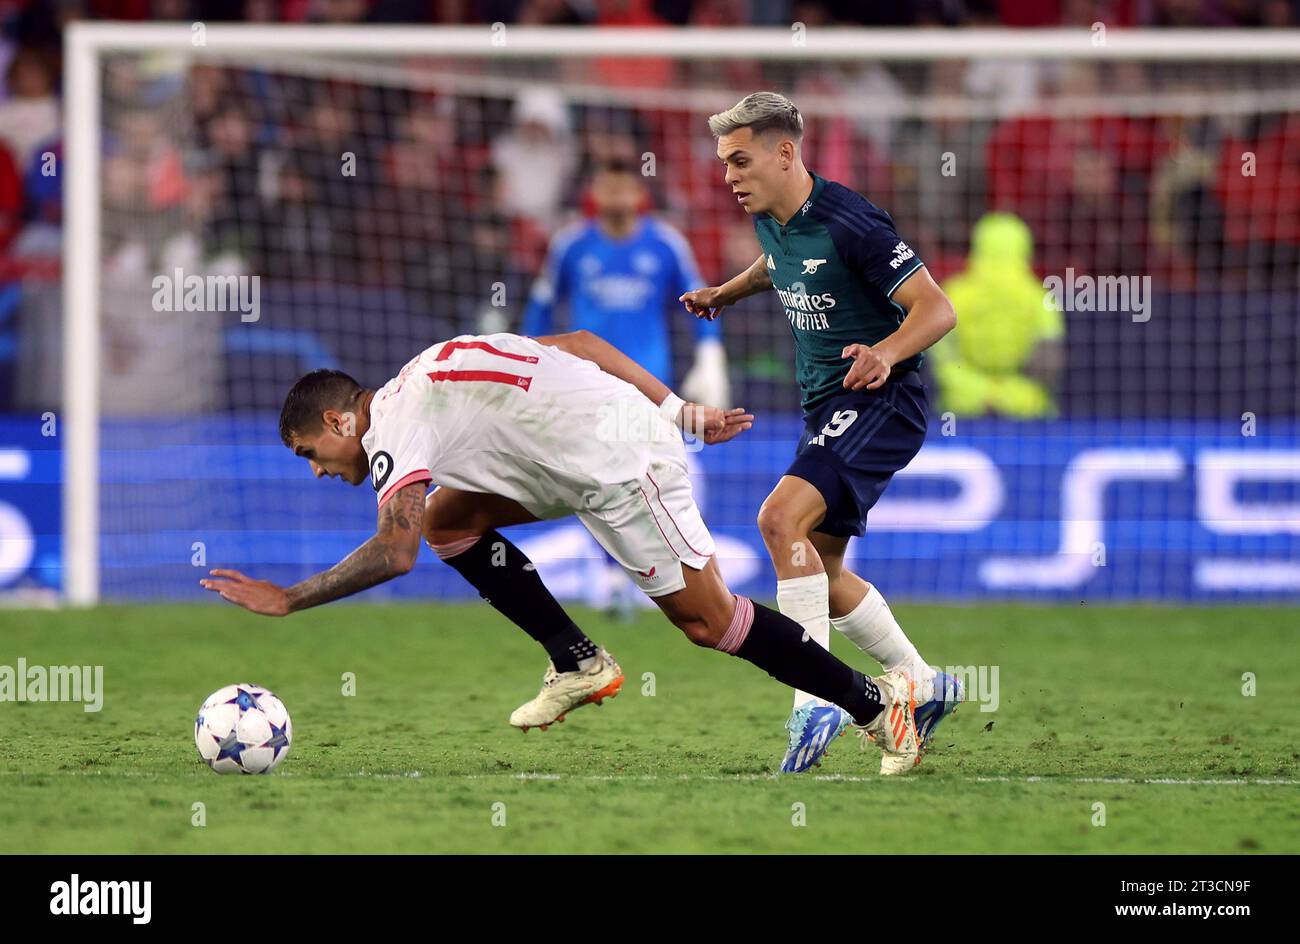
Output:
[[506, 415]]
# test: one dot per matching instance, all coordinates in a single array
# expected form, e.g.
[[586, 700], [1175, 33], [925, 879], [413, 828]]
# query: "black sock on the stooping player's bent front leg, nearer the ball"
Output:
[[508, 581]]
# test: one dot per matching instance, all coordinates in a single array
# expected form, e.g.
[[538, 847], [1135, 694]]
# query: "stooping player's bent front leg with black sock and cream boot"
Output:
[[461, 527]]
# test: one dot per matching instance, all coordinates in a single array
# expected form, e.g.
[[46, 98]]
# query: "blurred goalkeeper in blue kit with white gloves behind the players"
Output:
[[618, 276]]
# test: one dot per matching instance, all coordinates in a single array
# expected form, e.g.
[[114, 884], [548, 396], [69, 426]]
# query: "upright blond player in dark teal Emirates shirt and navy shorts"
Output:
[[863, 309]]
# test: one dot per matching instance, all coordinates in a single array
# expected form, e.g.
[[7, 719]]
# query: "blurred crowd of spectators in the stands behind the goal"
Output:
[[443, 193]]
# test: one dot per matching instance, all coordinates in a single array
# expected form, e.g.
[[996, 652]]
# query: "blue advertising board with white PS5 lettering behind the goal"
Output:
[[1160, 510]]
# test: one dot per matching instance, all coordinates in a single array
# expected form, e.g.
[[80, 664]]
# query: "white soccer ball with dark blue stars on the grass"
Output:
[[244, 730]]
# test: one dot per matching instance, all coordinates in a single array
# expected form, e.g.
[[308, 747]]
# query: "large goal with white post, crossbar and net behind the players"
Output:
[[1117, 219]]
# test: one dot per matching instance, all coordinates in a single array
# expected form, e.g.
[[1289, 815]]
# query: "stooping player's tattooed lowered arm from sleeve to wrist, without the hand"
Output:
[[391, 553]]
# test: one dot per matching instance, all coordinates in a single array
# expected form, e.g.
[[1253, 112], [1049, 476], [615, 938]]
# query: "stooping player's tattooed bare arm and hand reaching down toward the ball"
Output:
[[389, 555]]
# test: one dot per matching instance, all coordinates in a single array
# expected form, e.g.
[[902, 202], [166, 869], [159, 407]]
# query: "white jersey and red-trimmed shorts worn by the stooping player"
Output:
[[510, 417]]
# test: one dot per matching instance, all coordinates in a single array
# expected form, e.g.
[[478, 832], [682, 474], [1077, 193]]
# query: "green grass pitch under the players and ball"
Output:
[[1139, 709]]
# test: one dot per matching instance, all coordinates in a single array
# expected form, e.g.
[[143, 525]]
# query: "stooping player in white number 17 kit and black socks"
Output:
[[514, 430]]
